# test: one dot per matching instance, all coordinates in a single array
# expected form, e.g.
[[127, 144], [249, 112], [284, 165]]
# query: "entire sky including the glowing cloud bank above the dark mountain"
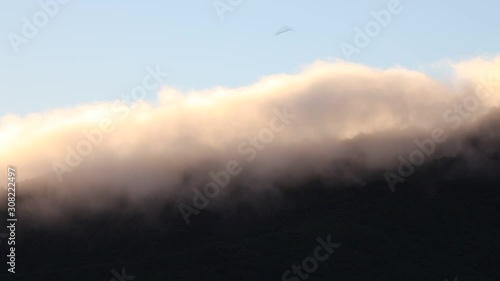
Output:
[[359, 85]]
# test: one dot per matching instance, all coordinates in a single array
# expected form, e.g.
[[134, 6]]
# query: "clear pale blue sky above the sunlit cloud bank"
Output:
[[98, 50]]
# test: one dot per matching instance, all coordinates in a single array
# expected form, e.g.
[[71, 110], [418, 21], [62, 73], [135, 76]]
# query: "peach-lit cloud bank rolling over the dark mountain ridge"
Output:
[[352, 121]]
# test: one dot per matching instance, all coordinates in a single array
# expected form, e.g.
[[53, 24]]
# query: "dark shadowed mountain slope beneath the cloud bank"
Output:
[[415, 233]]
